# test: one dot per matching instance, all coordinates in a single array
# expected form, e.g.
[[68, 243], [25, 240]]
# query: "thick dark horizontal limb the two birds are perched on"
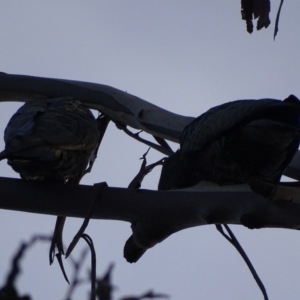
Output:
[[172, 210]]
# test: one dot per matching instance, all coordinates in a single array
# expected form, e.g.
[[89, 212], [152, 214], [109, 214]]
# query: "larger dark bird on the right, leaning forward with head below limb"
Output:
[[233, 143]]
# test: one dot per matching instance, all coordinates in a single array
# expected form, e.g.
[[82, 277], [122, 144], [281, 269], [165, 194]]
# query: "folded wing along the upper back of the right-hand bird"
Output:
[[221, 119]]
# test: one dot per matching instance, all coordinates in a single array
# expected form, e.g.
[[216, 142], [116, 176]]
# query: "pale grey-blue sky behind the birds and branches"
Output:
[[185, 56]]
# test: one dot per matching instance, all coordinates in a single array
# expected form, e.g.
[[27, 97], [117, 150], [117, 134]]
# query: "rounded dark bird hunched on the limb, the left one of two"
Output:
[[53, 140]]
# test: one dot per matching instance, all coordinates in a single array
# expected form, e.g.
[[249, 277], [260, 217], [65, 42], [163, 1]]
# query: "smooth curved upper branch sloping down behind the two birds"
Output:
[[119, 106]]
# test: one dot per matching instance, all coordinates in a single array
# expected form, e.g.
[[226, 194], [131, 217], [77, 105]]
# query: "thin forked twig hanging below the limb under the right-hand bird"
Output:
[[233, 240]]
